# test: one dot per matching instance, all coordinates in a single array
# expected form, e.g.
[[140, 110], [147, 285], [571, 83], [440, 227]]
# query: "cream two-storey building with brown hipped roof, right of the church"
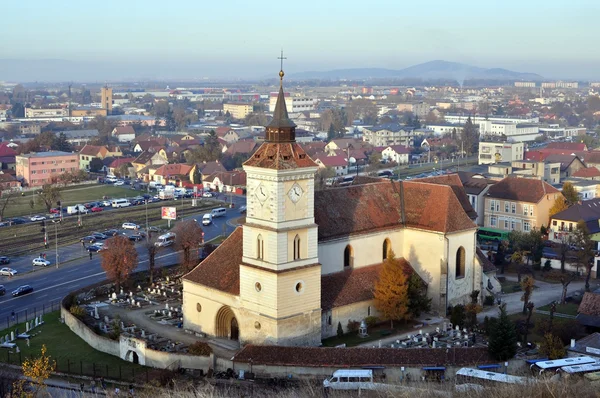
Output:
[[519, 204]]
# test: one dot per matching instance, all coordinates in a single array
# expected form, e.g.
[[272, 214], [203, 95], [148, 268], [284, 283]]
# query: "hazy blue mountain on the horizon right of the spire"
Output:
[[427, 71]]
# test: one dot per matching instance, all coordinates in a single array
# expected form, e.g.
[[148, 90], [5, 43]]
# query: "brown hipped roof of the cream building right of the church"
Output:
[[521, 189]]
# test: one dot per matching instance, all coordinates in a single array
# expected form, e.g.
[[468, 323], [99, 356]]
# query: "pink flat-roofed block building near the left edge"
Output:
[[37, 169]]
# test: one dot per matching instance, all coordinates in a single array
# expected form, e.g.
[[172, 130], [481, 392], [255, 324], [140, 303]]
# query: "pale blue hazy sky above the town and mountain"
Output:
[[132, 39]]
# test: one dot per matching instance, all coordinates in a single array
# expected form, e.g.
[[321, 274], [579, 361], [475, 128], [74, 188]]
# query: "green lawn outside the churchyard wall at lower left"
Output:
[[71, 353]]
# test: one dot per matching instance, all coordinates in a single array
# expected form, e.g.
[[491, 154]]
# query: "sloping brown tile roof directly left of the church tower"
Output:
[[221, 269]]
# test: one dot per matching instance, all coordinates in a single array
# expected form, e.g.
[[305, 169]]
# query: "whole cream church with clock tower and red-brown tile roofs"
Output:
[[305, 261]]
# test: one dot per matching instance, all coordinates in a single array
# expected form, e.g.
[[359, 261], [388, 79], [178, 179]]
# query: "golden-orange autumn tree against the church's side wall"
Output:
[[391, 290]]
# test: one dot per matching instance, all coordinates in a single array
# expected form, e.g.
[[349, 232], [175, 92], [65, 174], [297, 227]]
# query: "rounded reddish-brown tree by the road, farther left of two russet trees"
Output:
[[119, 259]]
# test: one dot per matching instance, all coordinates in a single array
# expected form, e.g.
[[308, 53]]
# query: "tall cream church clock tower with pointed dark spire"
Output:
[[280, 274]]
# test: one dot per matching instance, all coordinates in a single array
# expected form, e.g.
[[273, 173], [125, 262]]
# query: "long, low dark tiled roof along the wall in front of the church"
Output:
[[353, 357]]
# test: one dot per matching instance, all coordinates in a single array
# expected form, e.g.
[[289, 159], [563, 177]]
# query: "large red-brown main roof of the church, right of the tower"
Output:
[[361, 208]]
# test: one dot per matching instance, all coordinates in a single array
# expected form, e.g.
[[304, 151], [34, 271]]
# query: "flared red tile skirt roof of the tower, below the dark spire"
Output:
[[280, 156]]
